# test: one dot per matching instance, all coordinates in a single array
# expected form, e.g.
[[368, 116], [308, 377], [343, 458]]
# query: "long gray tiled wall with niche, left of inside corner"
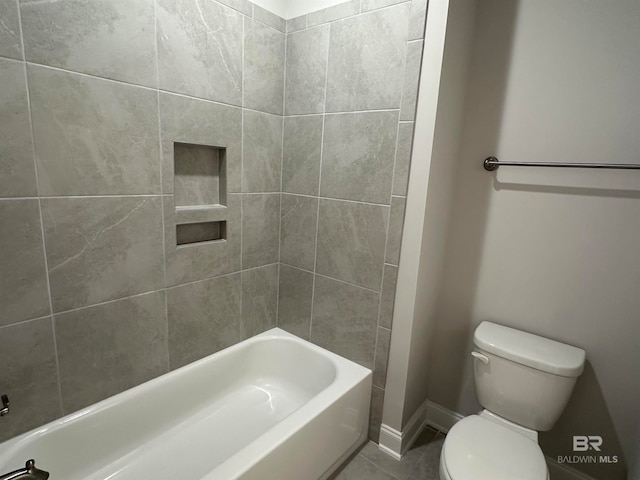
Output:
[[95, 297]]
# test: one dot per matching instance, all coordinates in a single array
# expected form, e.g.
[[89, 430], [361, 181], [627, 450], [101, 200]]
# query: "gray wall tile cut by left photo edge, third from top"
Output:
[[23, 277]]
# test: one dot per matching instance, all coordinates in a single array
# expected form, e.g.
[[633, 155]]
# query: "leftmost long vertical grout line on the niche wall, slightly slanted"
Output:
[[44, 243]]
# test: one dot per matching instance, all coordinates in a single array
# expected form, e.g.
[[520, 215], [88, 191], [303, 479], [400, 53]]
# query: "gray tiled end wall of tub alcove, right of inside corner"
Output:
[[352, 75]]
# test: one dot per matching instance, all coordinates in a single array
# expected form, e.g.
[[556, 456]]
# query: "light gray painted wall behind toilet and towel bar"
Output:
[[551, 252]]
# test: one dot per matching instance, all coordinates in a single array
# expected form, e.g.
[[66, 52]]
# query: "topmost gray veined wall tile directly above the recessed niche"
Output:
[[200, 49]]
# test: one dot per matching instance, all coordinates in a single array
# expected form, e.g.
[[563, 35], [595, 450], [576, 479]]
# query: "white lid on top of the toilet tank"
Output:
[[530, 350]]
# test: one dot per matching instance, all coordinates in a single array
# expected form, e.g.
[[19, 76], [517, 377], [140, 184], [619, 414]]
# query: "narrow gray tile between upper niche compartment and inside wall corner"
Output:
[[262, 152]]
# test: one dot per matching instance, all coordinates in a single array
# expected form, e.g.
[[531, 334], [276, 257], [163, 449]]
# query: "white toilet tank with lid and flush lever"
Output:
[[522, 377]]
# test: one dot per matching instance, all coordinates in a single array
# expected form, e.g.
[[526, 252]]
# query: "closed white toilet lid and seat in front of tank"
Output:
[[477, 448]]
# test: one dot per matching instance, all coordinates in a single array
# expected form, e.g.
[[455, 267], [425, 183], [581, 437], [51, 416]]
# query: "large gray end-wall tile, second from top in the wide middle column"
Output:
[[358, 154]]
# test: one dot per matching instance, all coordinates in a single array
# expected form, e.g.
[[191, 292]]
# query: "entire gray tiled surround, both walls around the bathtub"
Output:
[[315, 116]]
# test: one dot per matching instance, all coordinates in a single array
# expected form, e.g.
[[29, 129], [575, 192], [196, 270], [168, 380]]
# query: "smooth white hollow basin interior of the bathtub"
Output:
[[204, 412]]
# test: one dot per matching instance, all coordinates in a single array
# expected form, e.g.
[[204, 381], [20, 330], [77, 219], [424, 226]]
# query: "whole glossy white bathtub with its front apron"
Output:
[[271, 407]]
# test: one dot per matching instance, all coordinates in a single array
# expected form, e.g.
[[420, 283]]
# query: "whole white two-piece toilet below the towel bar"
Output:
[[523, 381]]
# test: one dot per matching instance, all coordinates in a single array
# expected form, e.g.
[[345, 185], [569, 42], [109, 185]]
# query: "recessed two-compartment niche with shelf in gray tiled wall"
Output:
[[200, 190]]
